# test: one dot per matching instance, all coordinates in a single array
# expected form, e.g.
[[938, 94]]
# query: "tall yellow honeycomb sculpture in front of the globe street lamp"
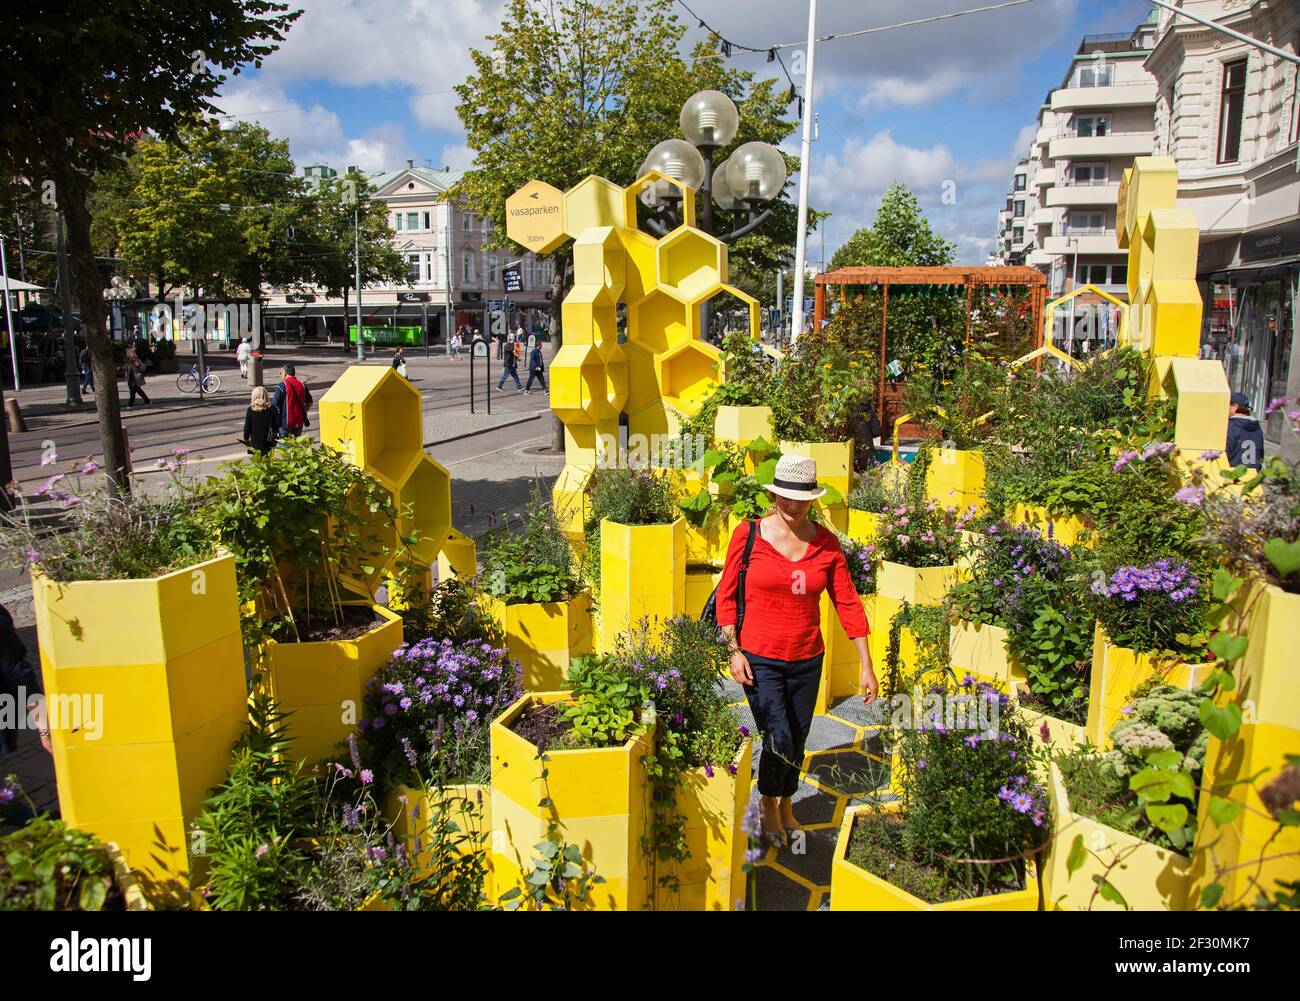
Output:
[[664, 371]]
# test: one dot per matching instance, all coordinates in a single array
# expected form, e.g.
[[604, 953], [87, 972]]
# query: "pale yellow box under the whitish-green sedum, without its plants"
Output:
[[1149, 878]]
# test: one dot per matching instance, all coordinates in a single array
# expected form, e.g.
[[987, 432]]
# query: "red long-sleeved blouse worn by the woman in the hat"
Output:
[[783, 599]]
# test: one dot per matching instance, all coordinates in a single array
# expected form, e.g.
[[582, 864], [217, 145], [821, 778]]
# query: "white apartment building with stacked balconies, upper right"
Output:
[[1060, 215]]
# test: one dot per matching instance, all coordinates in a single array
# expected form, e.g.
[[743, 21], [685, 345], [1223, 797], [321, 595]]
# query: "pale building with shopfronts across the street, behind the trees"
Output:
[[452, 271]]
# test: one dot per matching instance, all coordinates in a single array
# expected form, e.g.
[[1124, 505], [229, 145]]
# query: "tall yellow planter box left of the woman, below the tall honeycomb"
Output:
[[643, 577]]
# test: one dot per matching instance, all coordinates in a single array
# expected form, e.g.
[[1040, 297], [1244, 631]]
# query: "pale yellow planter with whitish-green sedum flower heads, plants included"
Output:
[[1110, 851]]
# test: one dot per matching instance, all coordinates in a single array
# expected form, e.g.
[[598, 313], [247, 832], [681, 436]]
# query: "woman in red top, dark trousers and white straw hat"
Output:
[[778, 657]]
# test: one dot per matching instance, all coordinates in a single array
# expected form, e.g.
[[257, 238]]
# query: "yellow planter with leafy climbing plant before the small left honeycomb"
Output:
[[309, 531]]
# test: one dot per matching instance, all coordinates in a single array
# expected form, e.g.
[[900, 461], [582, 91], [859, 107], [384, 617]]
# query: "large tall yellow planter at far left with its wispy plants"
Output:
[[135, 604]]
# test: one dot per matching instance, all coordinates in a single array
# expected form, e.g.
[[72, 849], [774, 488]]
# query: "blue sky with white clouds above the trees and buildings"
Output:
[[369, 83]]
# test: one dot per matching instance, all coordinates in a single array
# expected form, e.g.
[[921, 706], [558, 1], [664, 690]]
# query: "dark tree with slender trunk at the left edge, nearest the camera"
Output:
[[89, 79]]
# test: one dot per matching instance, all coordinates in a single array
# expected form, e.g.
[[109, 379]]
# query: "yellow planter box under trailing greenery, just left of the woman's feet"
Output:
[[714, 811]]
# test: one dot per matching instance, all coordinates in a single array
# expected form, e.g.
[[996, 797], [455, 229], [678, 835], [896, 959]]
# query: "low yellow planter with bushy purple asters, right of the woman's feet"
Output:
[[967, 829]]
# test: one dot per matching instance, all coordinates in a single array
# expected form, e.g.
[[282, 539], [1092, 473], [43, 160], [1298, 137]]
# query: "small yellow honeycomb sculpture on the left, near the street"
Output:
[[374, 417]]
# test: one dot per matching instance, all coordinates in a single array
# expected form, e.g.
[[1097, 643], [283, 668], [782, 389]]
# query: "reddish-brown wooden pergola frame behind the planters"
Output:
[[970, 279]]
